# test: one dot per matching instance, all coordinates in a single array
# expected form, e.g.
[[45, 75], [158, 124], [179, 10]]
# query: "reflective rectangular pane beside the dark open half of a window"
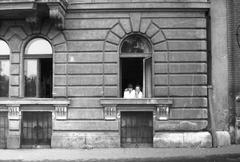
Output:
[[30, 72]]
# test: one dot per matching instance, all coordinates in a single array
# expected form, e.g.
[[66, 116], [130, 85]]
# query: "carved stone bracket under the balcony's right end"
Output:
[[57, 13]]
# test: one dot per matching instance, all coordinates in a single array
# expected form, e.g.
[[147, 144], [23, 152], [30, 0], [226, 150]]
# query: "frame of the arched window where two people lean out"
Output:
[[147, 88]]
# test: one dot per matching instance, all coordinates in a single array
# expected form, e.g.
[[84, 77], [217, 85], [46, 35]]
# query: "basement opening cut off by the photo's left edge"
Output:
[[3, 129]]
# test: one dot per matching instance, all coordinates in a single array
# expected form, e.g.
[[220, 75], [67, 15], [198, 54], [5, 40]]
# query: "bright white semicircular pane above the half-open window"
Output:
[[38, 46]]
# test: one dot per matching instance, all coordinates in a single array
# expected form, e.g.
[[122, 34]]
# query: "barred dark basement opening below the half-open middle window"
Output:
[[36, 128]]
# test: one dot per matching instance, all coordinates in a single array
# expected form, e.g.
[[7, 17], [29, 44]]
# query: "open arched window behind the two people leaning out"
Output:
[[136, 64]]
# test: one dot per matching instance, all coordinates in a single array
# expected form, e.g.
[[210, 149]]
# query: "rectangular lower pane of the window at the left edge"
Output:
[[4, 78]]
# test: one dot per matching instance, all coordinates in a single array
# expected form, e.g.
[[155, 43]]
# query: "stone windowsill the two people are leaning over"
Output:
[[142, 101]]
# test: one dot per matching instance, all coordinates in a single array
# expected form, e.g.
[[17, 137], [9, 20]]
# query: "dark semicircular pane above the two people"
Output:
[[135, 45]]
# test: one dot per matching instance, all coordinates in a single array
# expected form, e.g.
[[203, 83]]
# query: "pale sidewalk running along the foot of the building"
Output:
[[116, 154]]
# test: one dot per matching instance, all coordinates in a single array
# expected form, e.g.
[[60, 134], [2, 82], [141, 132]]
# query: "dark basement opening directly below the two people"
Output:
[[136, 129]]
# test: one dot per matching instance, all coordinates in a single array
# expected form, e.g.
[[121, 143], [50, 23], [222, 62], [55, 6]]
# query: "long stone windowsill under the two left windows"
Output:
[[35, 101]]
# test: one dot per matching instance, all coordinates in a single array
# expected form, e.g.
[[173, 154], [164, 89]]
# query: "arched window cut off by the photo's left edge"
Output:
[[4, 69]]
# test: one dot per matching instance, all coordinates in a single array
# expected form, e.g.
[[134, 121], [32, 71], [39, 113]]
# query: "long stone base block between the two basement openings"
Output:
[[85, 140]]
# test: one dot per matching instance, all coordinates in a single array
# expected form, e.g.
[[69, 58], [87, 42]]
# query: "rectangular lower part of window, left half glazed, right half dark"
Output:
[[38, 78]]
